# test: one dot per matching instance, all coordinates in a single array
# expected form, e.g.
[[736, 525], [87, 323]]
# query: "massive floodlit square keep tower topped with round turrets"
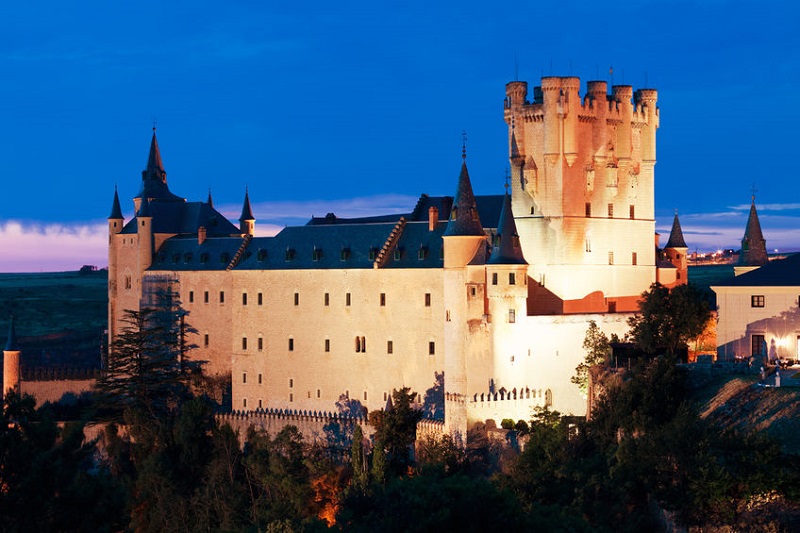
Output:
[[582, 192]]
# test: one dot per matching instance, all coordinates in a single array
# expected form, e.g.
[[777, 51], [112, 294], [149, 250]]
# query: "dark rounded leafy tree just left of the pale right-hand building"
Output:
[[668, 319]]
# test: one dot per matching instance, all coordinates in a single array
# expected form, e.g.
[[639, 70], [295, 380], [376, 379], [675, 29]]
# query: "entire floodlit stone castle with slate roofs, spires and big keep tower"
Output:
[[495, 292]]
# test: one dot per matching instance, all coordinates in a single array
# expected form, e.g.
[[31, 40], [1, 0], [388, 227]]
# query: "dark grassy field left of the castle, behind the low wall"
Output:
[[60, 317]]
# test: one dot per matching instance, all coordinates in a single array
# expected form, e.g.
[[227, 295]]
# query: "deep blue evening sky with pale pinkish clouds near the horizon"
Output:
[[353, 107]]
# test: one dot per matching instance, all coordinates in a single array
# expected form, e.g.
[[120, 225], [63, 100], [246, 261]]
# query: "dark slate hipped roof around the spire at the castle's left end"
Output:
[[183, 218]]
